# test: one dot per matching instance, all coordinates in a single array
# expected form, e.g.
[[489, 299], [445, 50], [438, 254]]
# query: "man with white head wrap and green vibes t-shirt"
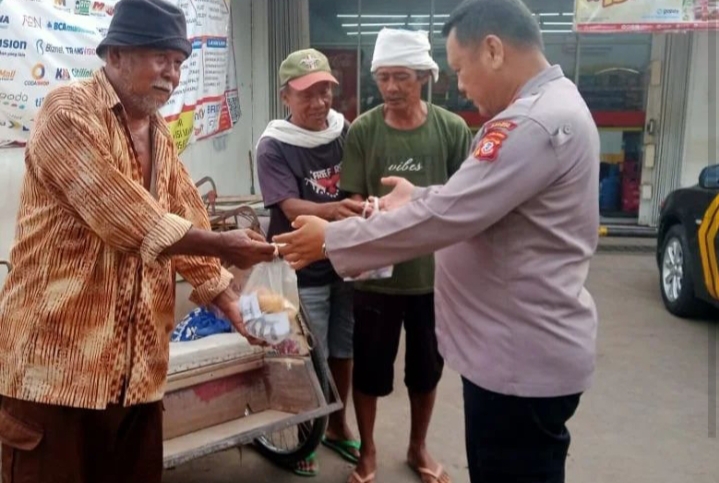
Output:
[[425, 144]]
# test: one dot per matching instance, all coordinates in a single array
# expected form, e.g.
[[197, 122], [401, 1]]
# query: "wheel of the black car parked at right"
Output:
[[676, 282]]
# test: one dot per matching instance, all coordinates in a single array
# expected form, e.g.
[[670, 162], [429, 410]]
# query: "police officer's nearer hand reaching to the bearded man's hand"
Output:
[[304, 245]]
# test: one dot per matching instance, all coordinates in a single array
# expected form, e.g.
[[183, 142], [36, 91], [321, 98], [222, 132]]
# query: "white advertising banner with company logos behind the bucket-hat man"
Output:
[[47, 43]]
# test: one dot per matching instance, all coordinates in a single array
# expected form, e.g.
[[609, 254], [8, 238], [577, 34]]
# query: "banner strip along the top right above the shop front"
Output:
[[613, 16]]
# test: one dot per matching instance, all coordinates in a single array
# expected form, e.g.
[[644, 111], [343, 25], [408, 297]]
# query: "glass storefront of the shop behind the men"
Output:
[[610, 70]]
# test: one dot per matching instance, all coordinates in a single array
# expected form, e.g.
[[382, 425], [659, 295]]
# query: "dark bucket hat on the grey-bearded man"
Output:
[[154, 24]]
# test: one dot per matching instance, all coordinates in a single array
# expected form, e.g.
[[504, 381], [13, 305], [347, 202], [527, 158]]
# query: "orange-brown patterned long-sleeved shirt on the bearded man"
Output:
[[87, 311]]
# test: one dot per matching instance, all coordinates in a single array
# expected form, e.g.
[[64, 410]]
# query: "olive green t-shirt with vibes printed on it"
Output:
[[427, 155]]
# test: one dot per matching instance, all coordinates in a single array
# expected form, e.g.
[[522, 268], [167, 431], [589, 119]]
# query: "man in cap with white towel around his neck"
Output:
[[298, 164]]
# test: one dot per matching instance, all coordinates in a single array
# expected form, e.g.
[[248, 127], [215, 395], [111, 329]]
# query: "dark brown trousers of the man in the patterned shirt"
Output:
[[56, 444]]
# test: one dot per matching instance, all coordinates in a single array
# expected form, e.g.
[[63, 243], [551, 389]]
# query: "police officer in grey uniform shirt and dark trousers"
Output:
[[514, 230]]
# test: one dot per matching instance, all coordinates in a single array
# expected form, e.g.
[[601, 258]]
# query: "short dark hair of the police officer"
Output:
[[510, 20]]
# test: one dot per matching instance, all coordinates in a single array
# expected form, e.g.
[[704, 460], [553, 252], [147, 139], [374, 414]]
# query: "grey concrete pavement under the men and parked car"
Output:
[[644, 421]]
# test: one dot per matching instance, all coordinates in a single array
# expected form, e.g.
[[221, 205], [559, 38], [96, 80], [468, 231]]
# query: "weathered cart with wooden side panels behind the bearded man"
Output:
[[286, 395]]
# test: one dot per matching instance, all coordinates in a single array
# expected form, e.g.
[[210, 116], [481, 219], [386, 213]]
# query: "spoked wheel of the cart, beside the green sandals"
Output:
[[292, 445]]
